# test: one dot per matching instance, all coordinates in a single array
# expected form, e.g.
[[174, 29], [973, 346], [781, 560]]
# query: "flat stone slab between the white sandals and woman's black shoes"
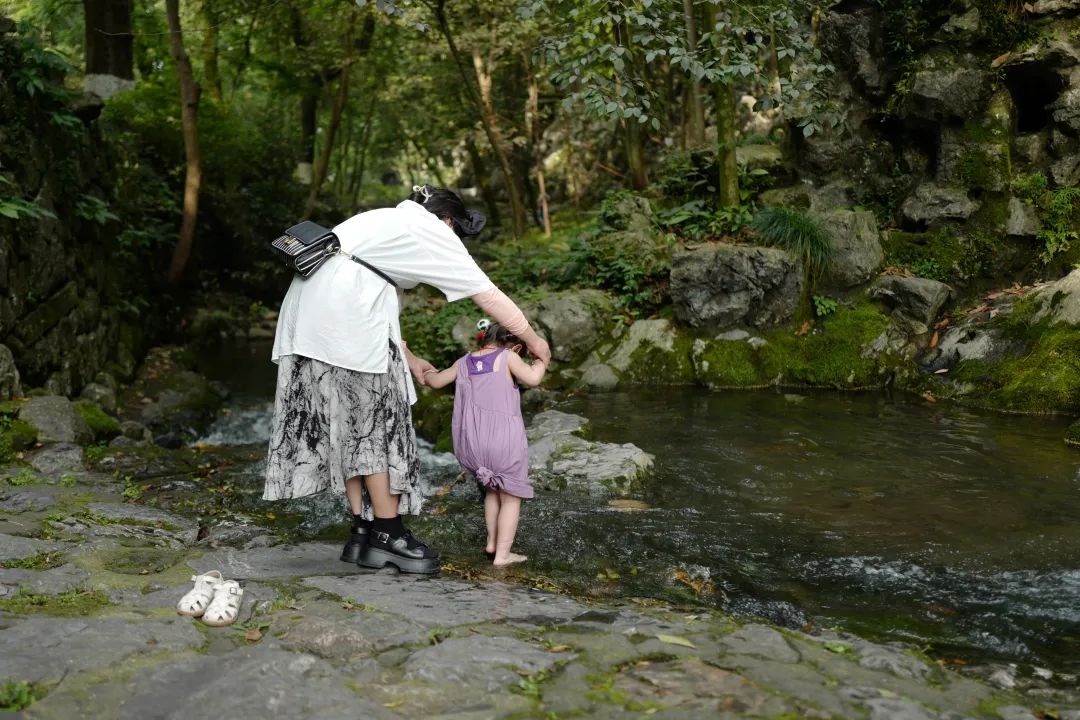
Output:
[[278, 562]]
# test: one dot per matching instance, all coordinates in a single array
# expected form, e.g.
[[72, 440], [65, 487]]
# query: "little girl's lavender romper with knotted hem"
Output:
[[489, 431]]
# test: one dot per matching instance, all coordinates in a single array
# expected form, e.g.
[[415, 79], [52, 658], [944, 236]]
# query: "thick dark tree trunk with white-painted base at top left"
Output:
[[110, 40]]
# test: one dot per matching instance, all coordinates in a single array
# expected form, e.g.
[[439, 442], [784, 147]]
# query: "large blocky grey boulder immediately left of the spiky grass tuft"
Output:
[[720, 286]]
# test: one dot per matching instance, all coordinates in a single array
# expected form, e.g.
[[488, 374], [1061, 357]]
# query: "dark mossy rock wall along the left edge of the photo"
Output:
[[60, 279]]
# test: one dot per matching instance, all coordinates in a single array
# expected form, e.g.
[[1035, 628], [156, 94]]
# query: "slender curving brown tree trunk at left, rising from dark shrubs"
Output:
[[190, 116]]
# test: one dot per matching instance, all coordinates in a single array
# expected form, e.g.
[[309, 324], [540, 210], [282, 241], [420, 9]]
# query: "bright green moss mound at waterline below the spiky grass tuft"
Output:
[[831, 355]]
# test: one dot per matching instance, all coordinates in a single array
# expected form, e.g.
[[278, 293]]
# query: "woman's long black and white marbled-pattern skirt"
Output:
[[331, 425]]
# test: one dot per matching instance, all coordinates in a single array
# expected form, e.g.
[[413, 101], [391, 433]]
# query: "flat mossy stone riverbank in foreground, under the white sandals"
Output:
[[88, 630]]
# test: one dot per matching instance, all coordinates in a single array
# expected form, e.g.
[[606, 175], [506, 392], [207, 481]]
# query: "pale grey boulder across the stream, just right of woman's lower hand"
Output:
[[573, 321]]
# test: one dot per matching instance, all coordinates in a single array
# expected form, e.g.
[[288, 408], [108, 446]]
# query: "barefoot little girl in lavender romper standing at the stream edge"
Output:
[[489, 431]]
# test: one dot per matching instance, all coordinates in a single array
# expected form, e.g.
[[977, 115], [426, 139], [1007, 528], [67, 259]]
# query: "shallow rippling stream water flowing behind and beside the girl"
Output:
[[892, 518]]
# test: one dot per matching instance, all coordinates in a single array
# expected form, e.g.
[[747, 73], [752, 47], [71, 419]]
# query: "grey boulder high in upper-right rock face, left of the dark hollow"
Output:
[[947, 87]]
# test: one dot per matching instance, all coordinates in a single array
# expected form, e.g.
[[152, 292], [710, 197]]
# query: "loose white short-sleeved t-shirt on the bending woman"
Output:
[[346, 316]]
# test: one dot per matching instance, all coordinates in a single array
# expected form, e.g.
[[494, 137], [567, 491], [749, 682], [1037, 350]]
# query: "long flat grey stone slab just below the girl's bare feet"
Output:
[[451, 603]]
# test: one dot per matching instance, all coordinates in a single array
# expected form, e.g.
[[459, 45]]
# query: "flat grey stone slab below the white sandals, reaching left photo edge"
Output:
[[46, 649]]
